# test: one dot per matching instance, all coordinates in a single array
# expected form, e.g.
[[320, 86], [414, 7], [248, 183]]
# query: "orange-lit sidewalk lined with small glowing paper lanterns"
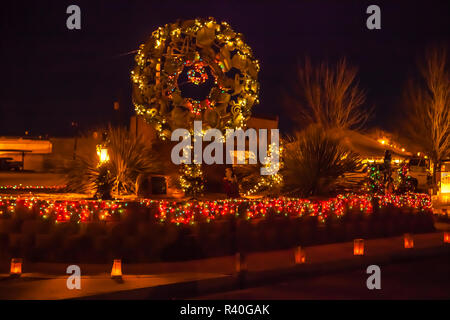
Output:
[[190, 278]]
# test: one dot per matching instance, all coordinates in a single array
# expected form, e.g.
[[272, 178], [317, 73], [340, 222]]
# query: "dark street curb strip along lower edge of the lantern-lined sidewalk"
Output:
[[192, 289]]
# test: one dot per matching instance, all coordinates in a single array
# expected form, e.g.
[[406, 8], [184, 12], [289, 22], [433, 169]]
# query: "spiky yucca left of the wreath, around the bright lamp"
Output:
[[129, 157]]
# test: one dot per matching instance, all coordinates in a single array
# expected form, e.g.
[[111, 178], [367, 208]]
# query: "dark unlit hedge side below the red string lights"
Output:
[[139, 238]]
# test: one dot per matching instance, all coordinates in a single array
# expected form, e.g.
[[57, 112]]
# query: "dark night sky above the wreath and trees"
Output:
[[52, 75]]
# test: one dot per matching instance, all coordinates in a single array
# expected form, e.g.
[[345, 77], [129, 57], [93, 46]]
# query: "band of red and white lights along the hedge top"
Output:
[[190, 212]]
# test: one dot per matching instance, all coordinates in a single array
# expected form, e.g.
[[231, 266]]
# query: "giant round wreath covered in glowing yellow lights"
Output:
[[195, 70]]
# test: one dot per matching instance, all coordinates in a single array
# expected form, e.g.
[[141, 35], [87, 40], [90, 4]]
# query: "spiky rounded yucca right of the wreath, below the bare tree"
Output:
[[313, 161]]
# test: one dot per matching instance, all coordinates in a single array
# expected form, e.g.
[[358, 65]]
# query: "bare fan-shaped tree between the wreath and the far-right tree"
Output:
[[329, 96]]
